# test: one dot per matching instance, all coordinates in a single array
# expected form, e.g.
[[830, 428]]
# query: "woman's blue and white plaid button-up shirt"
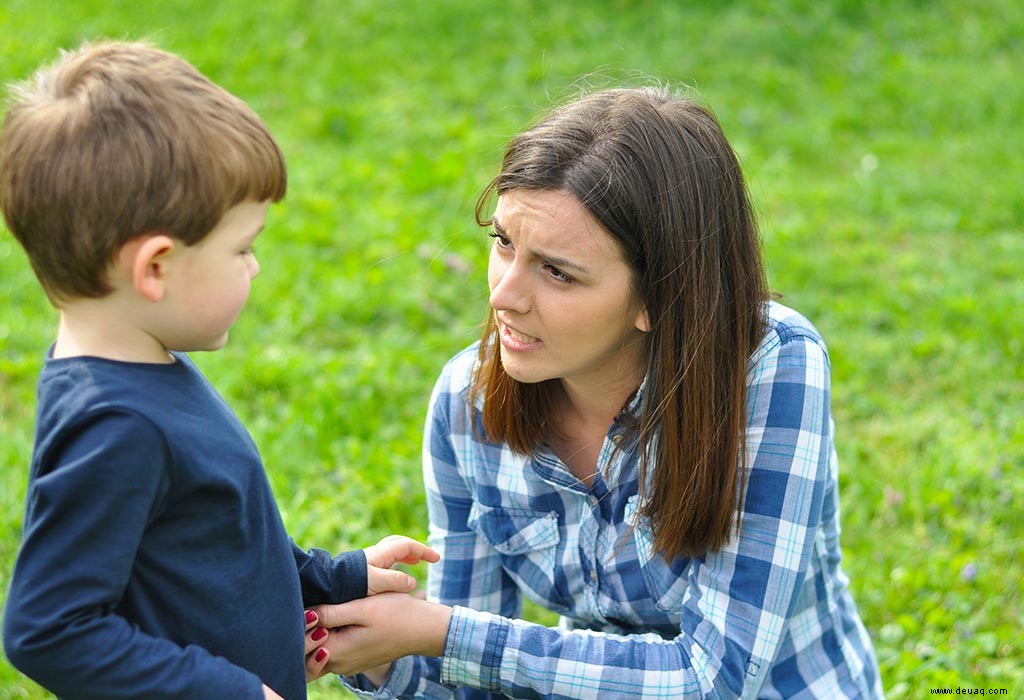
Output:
[[769, 617]]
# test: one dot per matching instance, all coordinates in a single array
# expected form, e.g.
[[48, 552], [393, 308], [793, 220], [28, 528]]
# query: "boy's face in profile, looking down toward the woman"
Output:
[[210, 284]]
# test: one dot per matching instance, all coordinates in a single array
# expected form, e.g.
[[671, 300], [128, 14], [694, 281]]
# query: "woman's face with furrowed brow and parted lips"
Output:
[[562, 294]]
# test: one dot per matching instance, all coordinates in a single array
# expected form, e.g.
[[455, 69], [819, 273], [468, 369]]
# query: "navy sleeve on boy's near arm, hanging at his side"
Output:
[[90, 503]]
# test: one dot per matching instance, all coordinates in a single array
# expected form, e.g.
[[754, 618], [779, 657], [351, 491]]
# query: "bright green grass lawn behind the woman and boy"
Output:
[[883, 147]]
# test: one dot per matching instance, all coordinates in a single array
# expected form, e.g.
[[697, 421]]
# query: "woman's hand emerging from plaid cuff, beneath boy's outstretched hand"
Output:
[[370, 633]]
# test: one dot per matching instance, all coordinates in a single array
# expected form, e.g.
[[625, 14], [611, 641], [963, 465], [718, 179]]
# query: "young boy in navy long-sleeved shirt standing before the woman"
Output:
[[154, 563]]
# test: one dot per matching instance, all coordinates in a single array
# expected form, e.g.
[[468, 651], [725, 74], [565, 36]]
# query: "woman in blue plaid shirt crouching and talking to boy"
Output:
[[642, 443]]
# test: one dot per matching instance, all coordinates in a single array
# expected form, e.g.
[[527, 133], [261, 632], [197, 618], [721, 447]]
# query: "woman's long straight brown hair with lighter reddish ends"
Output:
[[659, 174]]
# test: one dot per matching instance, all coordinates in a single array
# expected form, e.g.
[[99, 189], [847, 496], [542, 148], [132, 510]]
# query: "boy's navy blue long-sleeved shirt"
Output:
[[155, 563]]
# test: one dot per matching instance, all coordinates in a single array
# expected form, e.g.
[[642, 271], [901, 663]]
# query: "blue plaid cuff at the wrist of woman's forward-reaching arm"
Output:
[[474, 649]]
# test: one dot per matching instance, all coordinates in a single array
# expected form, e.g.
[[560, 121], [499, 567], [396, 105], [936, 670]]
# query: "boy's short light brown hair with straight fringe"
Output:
[[119, 140]]
